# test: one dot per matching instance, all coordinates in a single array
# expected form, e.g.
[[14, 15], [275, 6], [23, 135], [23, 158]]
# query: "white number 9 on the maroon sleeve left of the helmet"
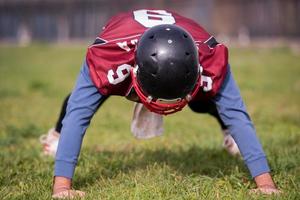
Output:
[[121, 73]]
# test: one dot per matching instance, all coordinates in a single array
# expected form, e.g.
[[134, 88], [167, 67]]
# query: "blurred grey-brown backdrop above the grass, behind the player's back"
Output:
[[238, 21]]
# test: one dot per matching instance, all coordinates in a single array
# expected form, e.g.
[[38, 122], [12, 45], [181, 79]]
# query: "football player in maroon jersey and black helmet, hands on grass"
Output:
[[164, 61]]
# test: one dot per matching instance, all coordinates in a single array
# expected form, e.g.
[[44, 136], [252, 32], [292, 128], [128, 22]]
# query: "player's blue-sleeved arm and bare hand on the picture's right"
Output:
[[233, 112]]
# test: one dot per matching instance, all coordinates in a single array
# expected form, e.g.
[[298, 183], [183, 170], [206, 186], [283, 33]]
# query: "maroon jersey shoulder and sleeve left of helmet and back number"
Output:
[[112, 55]]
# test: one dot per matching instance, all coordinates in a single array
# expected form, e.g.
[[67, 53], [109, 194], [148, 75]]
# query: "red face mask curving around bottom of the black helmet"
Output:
[[163, 106]]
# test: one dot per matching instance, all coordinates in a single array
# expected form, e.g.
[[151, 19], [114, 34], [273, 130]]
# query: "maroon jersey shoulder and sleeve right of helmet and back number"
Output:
[[213, 57]]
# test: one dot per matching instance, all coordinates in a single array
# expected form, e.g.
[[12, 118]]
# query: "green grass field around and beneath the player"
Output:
[[188, 162]]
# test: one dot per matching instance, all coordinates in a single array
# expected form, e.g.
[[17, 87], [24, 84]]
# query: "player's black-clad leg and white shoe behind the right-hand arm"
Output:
[[210, 108]]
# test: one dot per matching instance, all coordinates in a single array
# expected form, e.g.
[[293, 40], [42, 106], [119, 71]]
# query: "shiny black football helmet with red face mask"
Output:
[[167, 69]]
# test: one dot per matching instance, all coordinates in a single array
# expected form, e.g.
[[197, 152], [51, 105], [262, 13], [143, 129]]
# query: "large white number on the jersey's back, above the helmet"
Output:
[[150, 18]]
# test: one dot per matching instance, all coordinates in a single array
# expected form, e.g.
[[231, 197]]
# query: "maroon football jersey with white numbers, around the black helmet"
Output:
[[112, 54]]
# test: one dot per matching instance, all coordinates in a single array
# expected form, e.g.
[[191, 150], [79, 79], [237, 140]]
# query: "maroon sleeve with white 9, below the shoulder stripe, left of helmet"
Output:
[[110, 68]]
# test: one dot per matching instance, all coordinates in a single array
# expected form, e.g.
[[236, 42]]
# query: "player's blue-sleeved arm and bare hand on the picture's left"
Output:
[[82, 105]]
